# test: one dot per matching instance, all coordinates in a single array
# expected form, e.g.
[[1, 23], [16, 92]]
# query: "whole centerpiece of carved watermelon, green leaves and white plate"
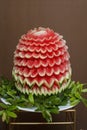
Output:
[[42, 77]]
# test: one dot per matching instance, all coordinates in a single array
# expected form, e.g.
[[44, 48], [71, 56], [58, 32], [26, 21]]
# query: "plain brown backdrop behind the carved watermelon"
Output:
[[68, 17]]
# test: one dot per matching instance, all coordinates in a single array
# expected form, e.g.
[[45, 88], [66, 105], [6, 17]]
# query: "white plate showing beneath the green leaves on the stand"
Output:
[[61, 108]]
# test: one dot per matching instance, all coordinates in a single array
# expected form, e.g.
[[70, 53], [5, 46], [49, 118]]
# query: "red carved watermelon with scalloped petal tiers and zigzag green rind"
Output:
[[41, 62]]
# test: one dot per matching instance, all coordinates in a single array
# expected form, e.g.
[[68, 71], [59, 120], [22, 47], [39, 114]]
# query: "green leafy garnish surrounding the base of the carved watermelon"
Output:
[[73, 94]]
